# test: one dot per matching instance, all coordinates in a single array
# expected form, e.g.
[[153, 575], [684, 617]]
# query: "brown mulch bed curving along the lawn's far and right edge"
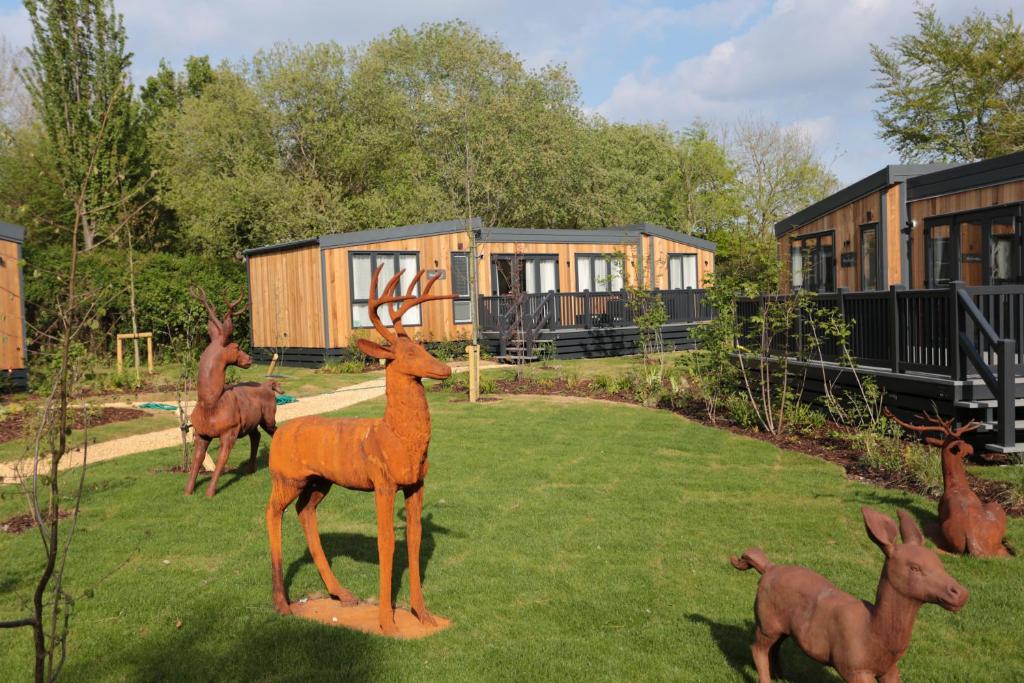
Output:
[[823, 445]]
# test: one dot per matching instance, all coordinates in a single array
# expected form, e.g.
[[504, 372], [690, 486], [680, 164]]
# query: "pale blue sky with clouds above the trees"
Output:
[[801, 63]]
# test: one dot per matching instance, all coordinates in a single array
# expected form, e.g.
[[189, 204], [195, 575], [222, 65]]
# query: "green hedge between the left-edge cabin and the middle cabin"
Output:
[[164, 305]]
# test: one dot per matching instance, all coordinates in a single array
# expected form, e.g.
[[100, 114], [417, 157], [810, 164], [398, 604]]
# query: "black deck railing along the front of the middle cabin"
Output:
[[586, 311]]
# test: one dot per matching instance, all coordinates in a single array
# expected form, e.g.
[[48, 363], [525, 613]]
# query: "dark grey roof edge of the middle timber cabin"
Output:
[[495, 235]]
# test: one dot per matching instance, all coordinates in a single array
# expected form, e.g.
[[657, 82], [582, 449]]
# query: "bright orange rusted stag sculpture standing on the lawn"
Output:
[[383, 456]]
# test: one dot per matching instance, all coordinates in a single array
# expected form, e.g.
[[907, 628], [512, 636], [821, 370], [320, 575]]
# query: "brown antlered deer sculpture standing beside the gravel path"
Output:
[[229, 413]]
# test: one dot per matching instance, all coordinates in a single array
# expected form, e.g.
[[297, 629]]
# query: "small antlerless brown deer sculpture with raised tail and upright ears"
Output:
[[861, 641]]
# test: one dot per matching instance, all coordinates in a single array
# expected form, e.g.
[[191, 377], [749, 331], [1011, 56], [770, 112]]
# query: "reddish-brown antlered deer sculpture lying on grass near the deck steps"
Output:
[[967, 525]]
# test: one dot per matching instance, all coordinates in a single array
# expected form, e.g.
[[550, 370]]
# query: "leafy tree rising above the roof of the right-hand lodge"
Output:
[[953, 93]]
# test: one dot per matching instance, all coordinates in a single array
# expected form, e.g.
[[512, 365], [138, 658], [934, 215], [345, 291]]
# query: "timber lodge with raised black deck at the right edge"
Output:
[[926, 266]]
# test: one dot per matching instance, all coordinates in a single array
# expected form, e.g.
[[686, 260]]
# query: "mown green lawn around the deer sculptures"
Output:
[[568, 540]]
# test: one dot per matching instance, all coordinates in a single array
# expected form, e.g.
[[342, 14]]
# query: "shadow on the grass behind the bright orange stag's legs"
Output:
[[362, 548]]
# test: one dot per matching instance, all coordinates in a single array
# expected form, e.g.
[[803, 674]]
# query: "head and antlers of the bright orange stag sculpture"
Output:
[[403, 355]]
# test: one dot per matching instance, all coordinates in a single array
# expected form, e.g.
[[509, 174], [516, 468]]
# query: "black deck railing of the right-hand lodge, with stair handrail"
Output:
[[959, 332]]
